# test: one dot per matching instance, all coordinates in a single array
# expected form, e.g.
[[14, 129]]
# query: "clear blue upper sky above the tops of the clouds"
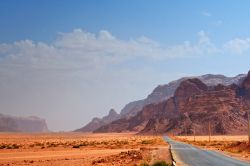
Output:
[[161, 20]]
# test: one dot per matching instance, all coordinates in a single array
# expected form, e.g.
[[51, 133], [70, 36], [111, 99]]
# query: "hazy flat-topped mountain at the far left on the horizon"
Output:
[[22, 124]]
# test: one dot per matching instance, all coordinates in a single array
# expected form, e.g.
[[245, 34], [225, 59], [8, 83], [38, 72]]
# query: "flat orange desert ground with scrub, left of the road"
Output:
[[81, 149]]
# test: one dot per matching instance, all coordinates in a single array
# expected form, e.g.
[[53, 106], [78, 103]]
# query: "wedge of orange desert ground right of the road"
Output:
[[233, 145]]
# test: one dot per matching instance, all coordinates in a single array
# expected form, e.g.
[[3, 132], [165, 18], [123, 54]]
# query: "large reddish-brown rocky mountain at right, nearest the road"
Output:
[[195, 105]]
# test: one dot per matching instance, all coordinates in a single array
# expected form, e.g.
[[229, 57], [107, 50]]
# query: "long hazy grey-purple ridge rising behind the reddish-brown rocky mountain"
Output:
[[159, 94]]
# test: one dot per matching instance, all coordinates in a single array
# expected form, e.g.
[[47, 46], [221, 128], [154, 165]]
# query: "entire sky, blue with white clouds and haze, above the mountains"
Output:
[[78, 58]]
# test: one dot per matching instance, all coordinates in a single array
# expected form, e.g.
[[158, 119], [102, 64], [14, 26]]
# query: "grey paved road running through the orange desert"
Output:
[[188, 155]]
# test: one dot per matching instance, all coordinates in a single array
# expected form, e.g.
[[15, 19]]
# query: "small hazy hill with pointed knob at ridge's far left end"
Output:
[[98, 122]]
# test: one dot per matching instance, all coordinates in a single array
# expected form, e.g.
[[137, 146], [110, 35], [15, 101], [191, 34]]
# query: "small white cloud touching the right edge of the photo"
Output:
[[237, 46]]
